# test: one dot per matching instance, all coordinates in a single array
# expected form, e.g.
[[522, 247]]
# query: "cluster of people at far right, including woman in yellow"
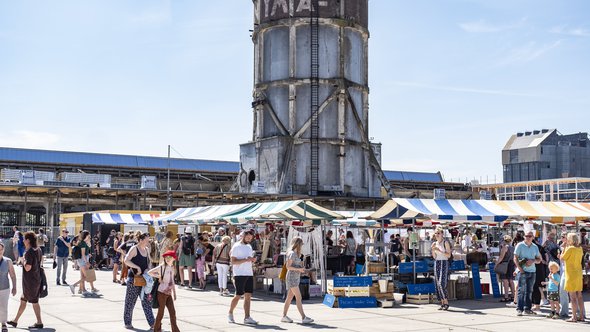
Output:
[[554, 268]]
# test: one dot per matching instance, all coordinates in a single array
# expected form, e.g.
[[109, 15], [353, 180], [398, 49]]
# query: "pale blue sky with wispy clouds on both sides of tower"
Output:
[[450, 80]]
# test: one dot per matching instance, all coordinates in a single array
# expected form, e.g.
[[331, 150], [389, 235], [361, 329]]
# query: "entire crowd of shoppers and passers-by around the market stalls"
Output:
[[151, 269]]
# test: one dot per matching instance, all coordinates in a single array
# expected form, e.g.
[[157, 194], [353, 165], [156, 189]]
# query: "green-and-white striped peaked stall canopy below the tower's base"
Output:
[[284, 210]]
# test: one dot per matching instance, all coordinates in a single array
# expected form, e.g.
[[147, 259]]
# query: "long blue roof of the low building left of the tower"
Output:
[[113, 160]]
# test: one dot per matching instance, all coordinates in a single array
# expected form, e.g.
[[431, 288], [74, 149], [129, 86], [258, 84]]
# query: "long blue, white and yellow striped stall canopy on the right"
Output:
[[481, 210]]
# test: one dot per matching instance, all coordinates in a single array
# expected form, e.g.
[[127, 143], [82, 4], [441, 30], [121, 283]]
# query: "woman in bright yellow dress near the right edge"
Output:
[[572, 257]]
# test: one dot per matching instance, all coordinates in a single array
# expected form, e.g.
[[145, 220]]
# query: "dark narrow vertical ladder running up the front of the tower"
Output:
[[315, 85]]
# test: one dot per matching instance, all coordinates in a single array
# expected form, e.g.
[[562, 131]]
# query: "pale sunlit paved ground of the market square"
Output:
[[199, 311]]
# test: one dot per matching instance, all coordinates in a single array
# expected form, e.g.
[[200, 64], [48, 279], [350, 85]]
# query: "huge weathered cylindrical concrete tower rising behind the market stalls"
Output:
[[311, 105]]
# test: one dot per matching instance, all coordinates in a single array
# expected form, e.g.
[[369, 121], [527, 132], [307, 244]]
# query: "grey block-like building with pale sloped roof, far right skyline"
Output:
[[545, 154]]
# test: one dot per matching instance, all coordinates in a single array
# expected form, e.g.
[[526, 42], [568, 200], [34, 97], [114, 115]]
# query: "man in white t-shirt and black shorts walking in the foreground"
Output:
[[242, 257]]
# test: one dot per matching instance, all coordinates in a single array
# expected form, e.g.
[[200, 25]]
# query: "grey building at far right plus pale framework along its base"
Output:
[[544, 165]]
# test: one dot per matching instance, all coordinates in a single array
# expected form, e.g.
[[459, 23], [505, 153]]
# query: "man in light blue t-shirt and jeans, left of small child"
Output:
[[526, 255]]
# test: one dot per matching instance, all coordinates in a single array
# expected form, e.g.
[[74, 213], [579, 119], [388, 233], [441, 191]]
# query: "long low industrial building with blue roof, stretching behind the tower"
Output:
[[46, 183]]
